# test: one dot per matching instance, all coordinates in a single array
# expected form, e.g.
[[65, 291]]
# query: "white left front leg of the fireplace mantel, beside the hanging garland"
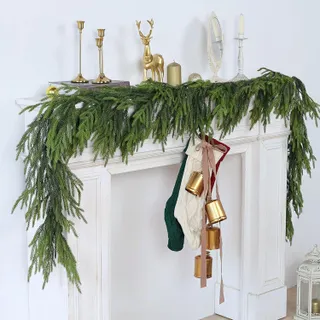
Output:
[[91, 248]]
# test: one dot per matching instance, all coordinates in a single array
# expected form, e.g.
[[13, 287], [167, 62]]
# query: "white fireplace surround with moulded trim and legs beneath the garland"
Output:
[[261, 228]]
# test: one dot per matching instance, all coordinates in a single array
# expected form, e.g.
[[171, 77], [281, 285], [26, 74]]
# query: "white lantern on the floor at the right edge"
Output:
[[308, 291]]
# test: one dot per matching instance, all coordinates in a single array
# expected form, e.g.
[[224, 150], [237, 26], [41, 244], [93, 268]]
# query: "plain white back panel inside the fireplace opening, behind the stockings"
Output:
[[148, 280]]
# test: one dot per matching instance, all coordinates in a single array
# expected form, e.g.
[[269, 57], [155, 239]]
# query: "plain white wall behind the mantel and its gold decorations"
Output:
[[39, 43]]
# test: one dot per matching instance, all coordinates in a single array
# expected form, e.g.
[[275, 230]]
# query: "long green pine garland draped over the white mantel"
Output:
[[122, 118]]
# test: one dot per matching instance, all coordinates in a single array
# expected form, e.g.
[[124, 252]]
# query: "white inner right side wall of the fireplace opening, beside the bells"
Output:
[[230, 185]]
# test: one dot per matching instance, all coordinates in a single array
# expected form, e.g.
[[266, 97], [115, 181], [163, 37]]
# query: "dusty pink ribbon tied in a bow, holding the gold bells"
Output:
[[208, 161]]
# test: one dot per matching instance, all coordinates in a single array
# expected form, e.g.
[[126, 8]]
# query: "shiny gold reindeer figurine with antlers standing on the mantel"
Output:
[[155, 62]]
